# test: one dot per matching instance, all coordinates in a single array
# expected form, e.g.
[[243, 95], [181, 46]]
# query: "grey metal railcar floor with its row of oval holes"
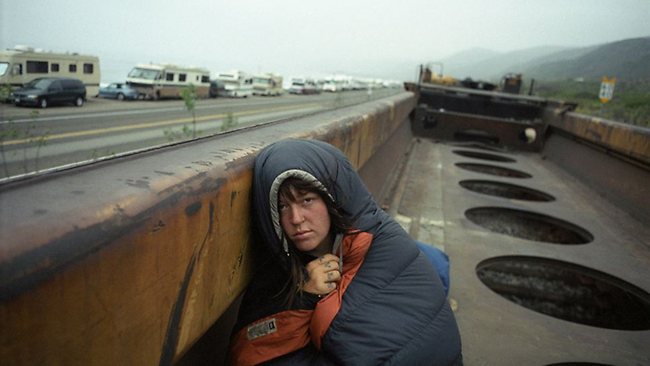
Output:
[[530, 259]]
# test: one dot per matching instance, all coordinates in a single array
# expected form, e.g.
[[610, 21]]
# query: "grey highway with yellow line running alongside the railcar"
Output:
[[35, 140]]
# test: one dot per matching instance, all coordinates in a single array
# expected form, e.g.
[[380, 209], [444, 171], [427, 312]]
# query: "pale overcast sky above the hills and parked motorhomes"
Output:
[[383, 38]]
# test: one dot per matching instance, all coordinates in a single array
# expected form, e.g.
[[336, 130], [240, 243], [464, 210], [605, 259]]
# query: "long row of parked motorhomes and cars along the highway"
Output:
[[37, 78]]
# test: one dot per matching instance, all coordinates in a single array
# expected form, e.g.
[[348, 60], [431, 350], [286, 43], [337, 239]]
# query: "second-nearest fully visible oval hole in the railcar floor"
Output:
[[528, 225]]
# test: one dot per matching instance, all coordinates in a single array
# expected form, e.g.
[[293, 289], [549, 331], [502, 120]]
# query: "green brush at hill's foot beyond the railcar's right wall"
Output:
[[630, 103]]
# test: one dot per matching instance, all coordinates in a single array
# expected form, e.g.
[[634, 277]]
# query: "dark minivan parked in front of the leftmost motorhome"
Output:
[[43, 92]]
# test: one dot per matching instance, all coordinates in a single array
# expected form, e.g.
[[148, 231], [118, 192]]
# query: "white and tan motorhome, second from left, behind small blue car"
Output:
[[155, 81]]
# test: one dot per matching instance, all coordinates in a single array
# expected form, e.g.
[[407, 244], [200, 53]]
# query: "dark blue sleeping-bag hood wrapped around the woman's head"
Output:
[[326, 168]]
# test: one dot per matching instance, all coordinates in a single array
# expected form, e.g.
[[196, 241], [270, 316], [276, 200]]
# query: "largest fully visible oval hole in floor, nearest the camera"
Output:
[[567, 291]]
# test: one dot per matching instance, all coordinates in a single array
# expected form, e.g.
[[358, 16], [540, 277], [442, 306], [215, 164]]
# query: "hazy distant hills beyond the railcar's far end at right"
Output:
[[627, 60]]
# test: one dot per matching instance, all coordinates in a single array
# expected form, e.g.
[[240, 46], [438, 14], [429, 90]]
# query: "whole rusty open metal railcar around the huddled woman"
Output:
[[141, 259]]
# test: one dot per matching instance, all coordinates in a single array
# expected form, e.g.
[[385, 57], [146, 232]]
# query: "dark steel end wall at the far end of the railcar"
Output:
[[495, 119]]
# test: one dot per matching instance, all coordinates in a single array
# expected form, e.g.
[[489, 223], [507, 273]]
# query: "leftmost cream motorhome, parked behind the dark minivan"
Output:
[[22, 64]]
